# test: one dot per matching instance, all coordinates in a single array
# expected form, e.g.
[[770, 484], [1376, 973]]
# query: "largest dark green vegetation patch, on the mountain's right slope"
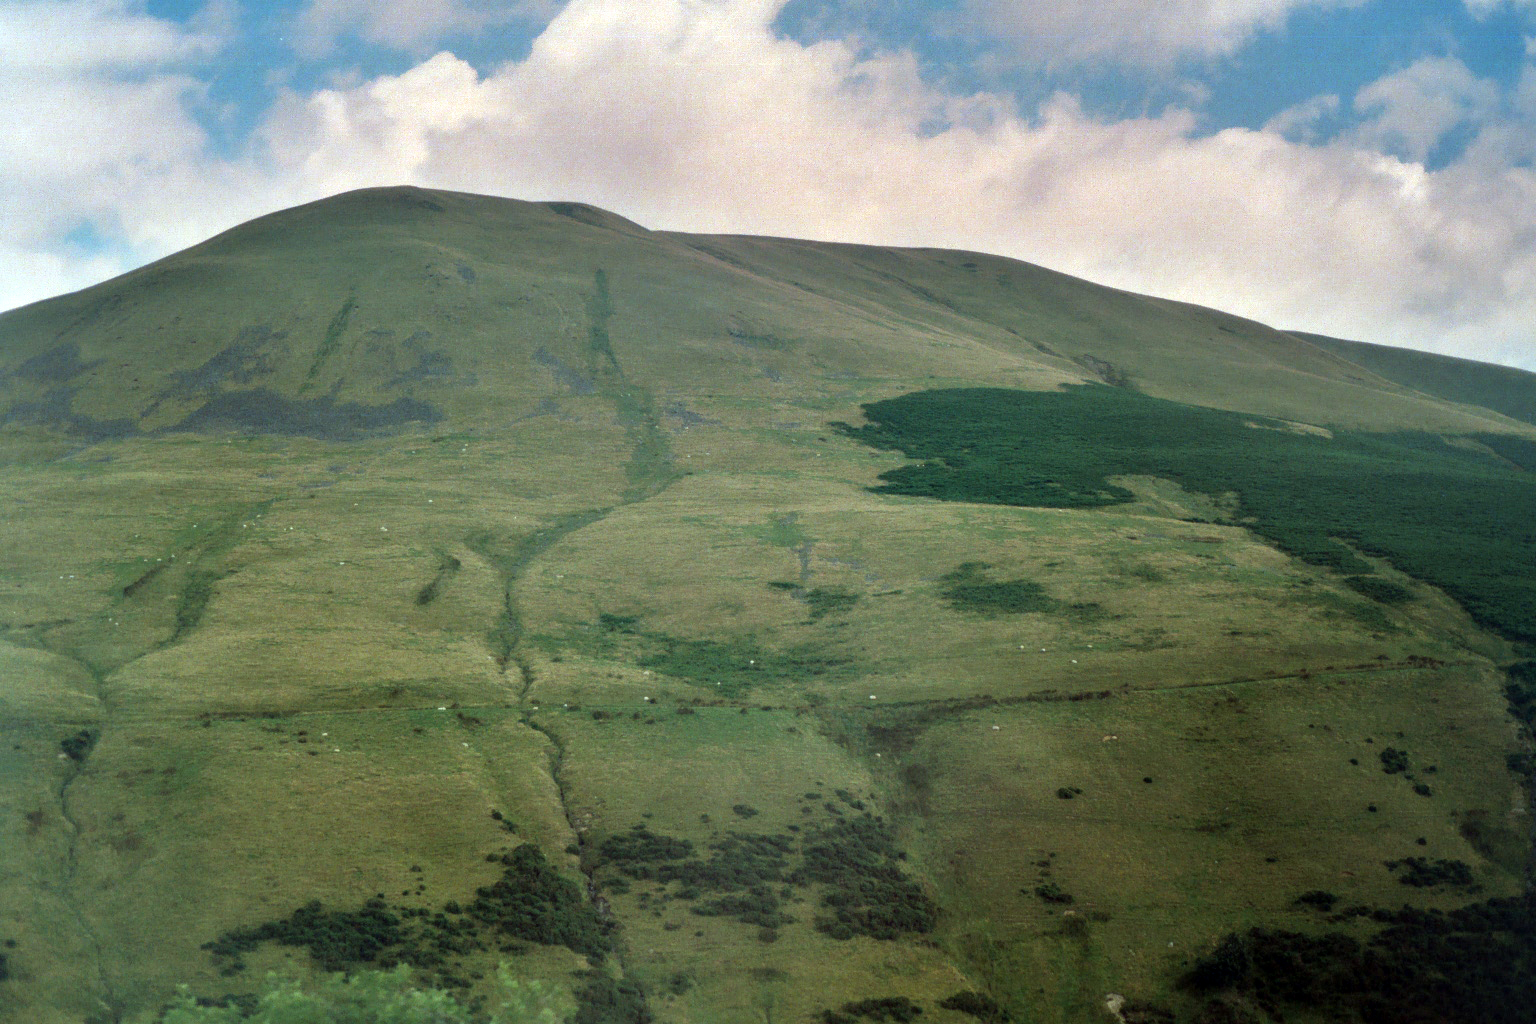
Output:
[[1457, 518]]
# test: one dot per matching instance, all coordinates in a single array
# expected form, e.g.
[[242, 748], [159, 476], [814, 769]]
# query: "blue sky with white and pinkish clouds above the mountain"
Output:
[[1356, 168]]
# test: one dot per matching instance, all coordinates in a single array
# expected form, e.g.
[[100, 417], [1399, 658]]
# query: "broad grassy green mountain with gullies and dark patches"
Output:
[[738, 629]]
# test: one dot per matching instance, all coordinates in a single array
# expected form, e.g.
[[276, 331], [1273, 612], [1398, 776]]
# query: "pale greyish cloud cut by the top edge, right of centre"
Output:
[[1136, 31]]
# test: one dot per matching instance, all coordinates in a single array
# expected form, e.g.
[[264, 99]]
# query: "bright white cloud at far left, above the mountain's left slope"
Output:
[[96, 114]]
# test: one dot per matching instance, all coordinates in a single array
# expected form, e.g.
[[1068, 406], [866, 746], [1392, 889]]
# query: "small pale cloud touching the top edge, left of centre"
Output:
[[406, 25]]
